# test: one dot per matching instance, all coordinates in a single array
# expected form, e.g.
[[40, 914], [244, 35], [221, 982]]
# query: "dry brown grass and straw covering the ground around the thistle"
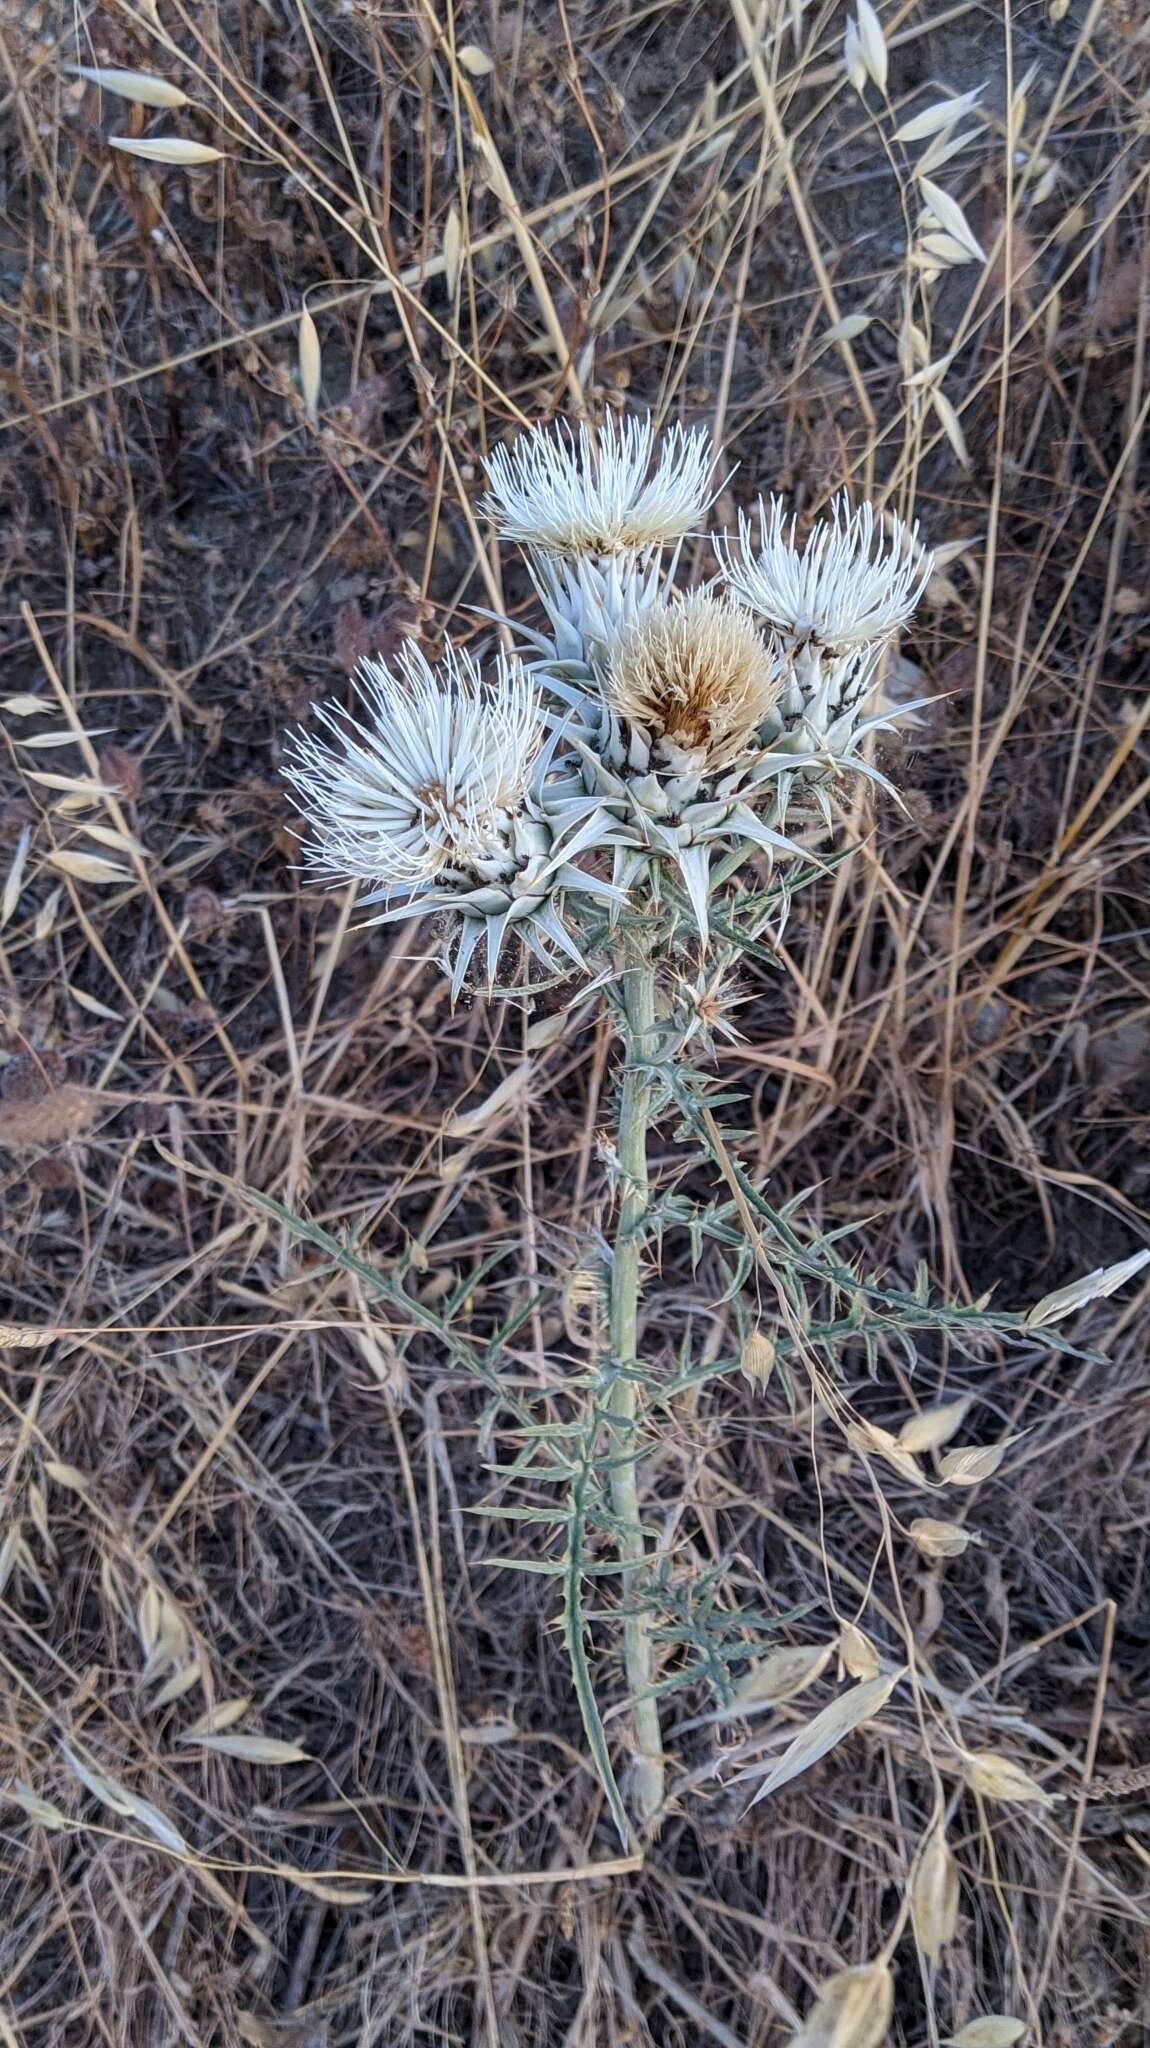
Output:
[[292, 1758]]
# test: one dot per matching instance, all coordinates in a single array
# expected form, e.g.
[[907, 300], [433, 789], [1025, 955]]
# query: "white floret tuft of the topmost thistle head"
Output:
[[605, 490]]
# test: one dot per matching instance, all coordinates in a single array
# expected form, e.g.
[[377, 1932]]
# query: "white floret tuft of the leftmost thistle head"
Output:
[[425, 781]]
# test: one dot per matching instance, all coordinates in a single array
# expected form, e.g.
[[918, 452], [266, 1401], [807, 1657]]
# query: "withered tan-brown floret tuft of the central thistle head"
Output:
[[695, 675]]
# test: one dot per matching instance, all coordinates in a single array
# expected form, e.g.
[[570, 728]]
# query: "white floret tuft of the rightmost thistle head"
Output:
[[848, 585]]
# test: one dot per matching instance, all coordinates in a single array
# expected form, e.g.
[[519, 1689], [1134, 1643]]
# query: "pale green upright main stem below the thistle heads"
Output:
[[635, 1113]]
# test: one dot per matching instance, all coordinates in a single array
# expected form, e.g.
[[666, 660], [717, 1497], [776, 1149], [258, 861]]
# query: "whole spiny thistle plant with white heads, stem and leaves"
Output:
[[629, 802]]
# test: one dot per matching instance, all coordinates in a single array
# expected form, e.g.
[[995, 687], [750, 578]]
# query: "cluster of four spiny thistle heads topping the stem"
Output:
[[642, 728]]
